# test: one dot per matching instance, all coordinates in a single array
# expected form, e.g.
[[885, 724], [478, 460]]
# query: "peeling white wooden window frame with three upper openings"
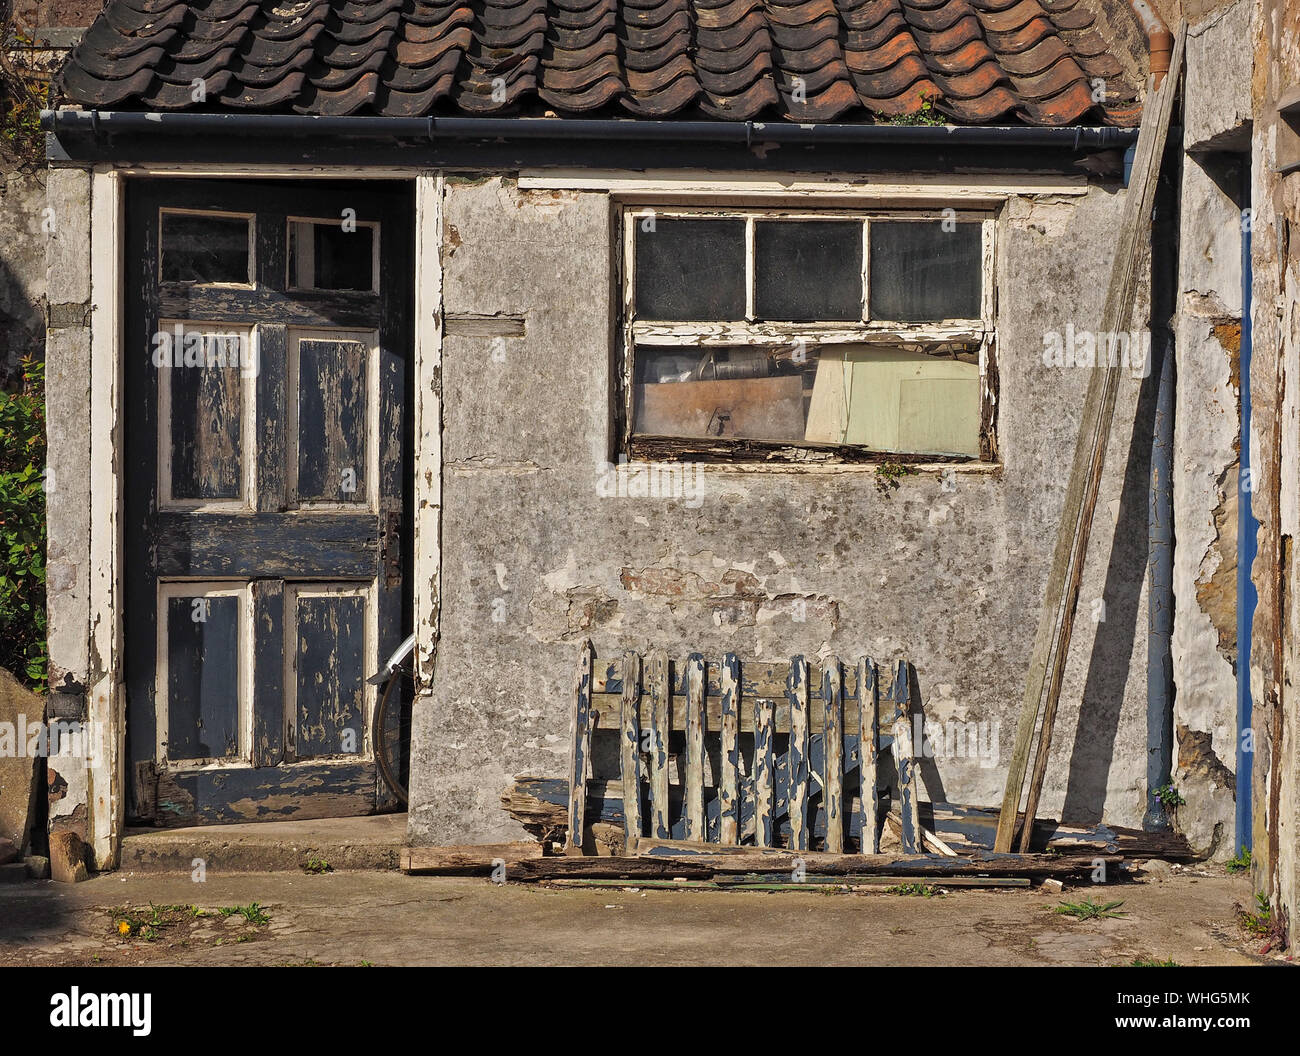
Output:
[[980, 334]]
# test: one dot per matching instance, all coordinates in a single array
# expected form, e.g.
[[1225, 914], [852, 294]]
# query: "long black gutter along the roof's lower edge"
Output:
[[435, 129]]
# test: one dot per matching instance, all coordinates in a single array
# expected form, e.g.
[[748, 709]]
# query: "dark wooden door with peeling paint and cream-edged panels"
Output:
[[268, 456]]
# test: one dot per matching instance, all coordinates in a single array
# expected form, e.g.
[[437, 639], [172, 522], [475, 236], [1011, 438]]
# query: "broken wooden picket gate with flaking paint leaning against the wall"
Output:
[[794, 750]]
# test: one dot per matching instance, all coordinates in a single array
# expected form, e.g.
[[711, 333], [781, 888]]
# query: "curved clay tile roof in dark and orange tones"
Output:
[[977, 62]]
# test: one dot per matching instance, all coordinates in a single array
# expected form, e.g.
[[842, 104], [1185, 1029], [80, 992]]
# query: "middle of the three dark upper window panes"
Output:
[[808, 271]]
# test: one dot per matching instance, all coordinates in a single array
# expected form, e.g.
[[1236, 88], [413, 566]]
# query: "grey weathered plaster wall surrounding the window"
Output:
[[947, 574]]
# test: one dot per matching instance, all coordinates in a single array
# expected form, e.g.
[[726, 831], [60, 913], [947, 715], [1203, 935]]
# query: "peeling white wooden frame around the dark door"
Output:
[[106, 700]]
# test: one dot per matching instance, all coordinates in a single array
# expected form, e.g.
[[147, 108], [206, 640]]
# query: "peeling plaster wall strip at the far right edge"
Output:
[[1276, 453]]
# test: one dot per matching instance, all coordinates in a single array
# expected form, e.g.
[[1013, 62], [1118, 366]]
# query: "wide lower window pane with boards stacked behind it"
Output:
[[881, 399]]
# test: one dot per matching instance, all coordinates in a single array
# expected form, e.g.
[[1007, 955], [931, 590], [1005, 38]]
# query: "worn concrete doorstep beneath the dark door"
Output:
[[323, 846]]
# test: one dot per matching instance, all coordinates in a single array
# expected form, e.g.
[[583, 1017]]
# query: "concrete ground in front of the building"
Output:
[[389, 919]]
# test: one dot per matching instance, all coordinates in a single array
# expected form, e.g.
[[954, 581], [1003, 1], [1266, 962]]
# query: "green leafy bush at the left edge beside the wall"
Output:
[[23, 529]]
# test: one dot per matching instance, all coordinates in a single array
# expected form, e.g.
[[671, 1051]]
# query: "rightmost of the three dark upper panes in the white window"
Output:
[[924, 274]]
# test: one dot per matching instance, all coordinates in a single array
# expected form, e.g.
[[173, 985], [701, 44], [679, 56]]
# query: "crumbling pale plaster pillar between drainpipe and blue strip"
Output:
[[1208, 336]]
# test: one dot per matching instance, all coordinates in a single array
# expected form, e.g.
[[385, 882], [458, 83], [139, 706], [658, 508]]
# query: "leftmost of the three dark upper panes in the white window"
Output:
[[690, 270]]
